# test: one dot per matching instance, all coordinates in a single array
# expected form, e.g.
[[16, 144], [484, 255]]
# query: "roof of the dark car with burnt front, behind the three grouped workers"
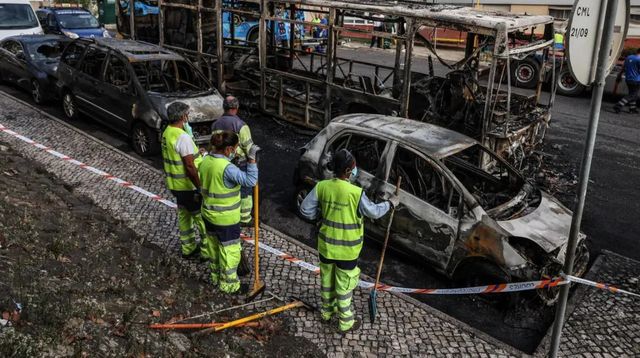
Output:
[[135, 51]]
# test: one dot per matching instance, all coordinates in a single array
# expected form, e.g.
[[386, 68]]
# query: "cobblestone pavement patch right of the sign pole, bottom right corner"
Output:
[[603, 324]]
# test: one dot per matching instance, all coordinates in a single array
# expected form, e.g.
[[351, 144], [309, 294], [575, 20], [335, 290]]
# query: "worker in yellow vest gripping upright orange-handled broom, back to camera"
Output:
[[221, 184]]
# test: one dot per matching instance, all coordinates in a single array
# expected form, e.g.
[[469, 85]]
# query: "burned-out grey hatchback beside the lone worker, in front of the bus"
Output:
[[464, 210]]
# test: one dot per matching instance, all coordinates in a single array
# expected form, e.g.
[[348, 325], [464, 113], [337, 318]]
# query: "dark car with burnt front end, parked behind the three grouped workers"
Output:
[[127, 85]]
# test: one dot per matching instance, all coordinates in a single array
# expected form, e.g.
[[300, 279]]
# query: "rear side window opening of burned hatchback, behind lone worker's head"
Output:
[[366, 150]]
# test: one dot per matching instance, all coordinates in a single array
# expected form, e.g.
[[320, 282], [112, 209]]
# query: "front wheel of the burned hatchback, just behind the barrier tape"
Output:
[[481, 273]]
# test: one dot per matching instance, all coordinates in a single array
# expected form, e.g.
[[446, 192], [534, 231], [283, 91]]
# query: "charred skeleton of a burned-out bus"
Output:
[[309, 88]]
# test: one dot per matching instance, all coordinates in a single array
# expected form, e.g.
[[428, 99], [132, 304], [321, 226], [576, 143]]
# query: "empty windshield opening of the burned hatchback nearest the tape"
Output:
[[488, 178]]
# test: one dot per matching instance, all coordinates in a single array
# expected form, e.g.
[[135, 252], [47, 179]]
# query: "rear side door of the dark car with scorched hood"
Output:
[[88, 83]]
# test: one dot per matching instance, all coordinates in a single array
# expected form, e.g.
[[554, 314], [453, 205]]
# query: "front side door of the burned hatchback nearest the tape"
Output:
[[427, 220]]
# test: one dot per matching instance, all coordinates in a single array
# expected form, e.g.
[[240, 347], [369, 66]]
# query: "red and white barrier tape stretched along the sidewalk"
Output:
[[498, 288]]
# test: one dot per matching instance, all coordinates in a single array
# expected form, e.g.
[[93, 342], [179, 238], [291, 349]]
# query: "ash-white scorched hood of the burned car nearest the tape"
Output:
[[548, 225]]
